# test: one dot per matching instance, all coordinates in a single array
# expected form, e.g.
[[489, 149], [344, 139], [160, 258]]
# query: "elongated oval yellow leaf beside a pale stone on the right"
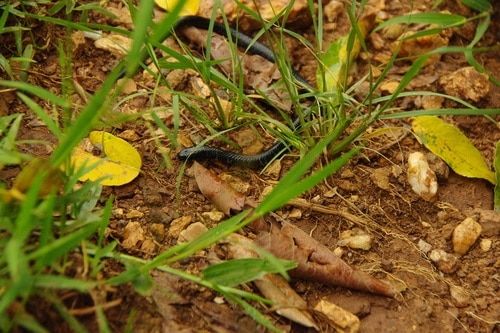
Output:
[[453, 147]]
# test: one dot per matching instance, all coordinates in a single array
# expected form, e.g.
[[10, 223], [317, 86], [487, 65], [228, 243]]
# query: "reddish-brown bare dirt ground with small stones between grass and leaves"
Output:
[[458, 295]]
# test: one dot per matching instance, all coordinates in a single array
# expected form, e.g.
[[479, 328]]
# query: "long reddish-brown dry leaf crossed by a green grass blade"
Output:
[[315, 261]]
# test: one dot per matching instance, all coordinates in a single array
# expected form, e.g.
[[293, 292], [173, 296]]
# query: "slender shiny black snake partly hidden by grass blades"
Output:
[[215, 154]]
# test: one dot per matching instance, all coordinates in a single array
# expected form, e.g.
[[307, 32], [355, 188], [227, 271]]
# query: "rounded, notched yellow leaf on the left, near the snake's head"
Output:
[[120, 166]]
